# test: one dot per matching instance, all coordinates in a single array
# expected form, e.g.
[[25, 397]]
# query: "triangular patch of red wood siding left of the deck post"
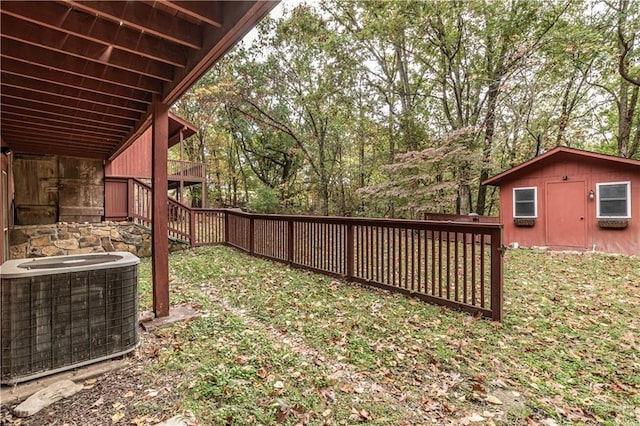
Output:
[[135, 161]]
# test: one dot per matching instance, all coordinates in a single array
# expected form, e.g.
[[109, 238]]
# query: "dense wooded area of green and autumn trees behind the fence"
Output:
[[395, 108]]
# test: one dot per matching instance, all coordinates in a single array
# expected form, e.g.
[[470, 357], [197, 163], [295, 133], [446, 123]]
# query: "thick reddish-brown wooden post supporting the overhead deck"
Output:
[[160, 211]]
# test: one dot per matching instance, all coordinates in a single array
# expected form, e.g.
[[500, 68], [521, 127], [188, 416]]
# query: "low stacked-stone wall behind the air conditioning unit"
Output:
[[79, 238]]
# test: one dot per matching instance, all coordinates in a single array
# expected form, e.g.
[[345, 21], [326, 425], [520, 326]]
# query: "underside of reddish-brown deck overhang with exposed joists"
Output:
[[78, 77]]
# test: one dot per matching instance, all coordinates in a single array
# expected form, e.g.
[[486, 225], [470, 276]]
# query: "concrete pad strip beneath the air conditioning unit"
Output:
[[12, 393]]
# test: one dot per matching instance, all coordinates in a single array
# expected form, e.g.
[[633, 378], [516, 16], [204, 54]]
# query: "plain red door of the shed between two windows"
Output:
[[566, 214]]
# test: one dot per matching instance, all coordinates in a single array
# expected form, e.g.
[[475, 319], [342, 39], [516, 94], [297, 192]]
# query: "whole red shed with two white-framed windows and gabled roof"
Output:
[[569, 199]]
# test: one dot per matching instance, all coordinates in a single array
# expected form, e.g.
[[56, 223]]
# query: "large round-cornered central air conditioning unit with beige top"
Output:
[[63, 312]]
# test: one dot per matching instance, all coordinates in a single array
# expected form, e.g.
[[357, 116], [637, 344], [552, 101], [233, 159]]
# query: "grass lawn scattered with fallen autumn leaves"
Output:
[[280, 345]]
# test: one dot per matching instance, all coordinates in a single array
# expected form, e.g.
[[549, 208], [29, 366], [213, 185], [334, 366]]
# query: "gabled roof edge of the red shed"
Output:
[[558, 154]]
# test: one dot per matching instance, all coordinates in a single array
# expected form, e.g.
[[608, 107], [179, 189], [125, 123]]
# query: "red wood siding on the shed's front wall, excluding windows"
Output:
[[560, 200]]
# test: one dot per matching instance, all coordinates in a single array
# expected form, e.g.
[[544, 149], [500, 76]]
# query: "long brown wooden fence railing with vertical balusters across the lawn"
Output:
[[458, 265]]
